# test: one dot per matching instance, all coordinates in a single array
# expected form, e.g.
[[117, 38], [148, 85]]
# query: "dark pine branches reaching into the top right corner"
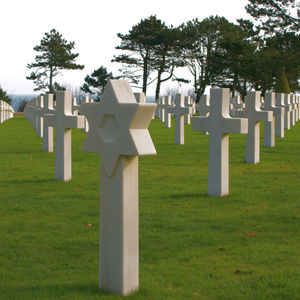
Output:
[[275, 15]]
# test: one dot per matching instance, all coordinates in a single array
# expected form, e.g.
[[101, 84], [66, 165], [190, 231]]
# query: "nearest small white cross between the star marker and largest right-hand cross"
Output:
[[180, 111]]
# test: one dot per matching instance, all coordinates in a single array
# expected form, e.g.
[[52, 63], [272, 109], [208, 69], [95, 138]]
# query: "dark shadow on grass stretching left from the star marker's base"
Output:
[[53, 291]]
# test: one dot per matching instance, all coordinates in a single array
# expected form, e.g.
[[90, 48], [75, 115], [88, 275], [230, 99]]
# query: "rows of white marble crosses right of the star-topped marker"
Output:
[[220, 115]]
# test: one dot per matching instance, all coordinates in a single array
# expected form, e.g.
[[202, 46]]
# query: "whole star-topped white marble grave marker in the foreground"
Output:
[[119, 132]]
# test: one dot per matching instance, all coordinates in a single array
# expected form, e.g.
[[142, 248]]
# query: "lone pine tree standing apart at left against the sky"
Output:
[[55, 55]]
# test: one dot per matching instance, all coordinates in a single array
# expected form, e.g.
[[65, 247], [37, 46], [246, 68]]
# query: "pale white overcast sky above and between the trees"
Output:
[[93, 26]]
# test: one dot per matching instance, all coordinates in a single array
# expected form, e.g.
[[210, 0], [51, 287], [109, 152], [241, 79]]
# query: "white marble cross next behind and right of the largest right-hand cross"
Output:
[[254, 115]]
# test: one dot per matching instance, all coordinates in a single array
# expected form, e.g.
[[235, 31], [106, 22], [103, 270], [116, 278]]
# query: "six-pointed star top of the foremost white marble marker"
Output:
[[118, 125]]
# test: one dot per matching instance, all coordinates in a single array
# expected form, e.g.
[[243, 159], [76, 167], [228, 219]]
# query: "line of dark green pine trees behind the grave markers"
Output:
[[216, 52]]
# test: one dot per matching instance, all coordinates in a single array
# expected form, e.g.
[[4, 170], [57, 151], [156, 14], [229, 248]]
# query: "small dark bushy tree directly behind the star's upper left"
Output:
[[96, 82]]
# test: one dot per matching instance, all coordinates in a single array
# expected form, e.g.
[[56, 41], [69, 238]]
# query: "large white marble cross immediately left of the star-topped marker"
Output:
[[63, 121]]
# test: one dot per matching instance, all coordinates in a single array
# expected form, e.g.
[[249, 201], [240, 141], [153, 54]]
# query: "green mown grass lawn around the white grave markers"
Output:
[[192, 246]]
